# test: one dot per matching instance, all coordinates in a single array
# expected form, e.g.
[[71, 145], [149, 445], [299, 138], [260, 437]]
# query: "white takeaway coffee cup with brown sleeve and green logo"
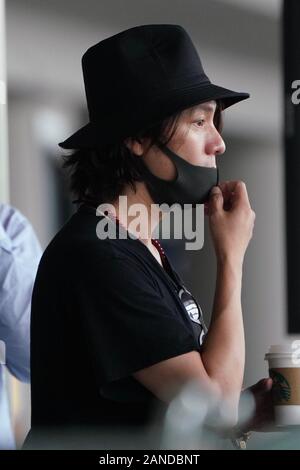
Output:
[[284, 369]]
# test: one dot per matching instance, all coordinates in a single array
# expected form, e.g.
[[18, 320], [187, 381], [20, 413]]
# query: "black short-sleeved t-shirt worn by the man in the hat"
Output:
[[101, 310]]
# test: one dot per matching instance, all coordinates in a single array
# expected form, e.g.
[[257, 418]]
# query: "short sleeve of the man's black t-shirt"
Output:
[[128, 324]]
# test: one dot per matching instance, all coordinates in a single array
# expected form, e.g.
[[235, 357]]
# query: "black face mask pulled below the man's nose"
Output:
[[192, 184]]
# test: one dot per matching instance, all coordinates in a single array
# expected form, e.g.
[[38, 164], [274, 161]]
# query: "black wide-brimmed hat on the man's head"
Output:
[[139, 77]]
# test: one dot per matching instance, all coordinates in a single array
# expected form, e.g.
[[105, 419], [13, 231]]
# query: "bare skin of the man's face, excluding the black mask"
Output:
[[196, 140]]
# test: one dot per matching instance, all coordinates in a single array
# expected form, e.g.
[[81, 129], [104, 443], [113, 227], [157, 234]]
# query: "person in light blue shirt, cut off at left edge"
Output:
[[20, 254]]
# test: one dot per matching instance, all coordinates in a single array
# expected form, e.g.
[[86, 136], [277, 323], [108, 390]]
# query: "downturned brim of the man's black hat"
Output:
[[98, 134]]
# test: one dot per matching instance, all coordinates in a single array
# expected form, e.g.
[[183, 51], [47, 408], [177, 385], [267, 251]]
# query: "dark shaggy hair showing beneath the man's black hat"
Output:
[[100, 175]]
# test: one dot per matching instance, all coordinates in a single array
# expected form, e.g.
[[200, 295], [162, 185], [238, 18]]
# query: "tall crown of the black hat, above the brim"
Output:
[[133, 67]]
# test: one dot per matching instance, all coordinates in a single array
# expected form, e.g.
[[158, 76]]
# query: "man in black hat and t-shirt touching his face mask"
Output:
[[115, 332]]
